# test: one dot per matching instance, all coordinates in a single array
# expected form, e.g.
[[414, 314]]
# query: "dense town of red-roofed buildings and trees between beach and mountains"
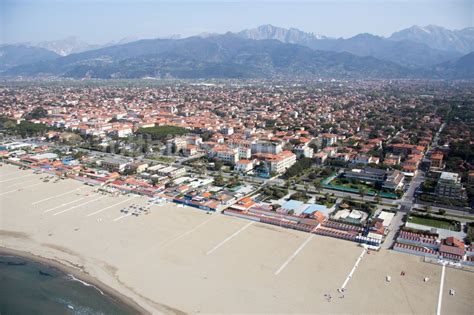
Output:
[[388, 164]]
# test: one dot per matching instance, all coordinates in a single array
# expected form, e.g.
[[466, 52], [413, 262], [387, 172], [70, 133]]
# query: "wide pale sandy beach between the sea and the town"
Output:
[[182, 260]]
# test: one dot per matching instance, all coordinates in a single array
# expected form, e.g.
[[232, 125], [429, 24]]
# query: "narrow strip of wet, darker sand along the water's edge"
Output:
[[80, 276]]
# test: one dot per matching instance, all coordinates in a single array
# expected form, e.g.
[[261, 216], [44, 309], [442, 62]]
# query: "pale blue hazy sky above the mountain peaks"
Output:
[[105, 20]]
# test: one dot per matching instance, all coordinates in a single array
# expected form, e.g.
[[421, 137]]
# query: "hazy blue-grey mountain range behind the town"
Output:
[[264, 52]]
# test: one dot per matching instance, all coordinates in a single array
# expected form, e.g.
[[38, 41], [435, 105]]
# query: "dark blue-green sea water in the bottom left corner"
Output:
[[28, 287]]
